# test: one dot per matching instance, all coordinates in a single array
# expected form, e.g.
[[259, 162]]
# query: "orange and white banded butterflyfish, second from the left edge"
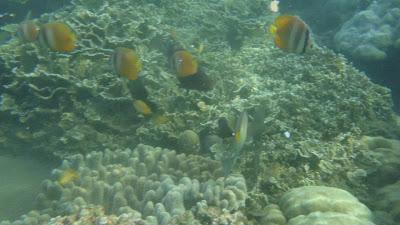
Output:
[[58, 37]]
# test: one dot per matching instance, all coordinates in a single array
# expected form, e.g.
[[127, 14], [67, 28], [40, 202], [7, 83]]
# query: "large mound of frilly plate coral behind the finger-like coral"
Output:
[[82, 108]]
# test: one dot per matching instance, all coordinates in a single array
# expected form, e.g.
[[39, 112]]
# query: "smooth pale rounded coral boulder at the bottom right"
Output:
[[319, 204]]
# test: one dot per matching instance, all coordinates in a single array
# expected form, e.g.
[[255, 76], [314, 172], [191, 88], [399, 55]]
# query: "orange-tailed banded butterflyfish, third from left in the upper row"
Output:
[[126, 63]]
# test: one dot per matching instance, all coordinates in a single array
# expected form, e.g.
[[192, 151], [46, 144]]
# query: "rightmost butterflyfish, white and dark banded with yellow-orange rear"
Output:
[[291, 34]]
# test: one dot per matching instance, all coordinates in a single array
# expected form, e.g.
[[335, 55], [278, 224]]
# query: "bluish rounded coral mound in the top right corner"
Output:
[[370, 34]]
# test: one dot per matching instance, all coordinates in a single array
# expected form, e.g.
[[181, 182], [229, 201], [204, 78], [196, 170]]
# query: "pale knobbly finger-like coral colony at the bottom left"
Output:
[[152, 182]]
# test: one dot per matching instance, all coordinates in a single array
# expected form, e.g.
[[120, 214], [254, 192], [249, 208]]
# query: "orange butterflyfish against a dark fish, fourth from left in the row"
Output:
[[184, 63]]
